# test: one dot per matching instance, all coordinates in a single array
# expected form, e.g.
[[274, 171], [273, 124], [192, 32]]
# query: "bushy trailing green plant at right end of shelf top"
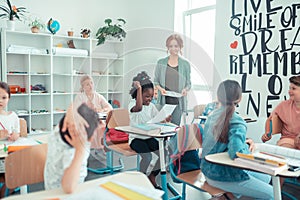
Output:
[[111, 30]]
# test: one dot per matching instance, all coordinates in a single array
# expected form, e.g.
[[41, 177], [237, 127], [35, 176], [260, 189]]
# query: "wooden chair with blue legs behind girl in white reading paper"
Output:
[[117, 117]]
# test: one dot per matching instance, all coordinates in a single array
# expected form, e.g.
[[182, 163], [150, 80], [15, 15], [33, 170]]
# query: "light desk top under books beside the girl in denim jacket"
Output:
[[223, 159]]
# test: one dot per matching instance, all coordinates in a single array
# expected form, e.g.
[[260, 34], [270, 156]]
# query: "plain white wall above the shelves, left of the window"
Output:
[[148, 25]]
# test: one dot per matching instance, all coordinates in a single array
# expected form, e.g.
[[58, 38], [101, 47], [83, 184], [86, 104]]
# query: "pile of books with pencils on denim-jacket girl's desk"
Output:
[[270, 159]]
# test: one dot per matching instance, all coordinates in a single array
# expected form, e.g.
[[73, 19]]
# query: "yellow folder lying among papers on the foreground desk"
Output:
[[124, 192]]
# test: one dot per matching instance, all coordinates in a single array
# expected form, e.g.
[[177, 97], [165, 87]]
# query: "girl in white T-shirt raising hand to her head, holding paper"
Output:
[[142, 110]]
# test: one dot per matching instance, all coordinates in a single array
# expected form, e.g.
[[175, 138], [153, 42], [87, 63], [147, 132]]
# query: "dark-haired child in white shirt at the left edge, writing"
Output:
[[9, 124]]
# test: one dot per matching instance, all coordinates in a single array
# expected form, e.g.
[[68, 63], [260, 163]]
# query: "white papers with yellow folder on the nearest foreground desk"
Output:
[[117, 191]]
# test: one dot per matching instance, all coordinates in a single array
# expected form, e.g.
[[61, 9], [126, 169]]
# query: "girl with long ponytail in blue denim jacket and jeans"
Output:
[[225, 131]]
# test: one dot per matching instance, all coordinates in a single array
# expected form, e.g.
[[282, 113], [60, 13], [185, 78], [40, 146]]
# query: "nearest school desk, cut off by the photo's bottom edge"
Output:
[[137, 179]]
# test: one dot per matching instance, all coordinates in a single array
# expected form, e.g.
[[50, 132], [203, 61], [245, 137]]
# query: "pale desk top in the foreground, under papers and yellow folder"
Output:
[[132, 178]]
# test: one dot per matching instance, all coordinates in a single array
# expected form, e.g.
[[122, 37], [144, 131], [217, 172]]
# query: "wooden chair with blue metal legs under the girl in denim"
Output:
[[194, 178]]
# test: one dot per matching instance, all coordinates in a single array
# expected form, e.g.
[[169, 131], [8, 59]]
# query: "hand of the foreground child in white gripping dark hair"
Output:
[[74, 121]]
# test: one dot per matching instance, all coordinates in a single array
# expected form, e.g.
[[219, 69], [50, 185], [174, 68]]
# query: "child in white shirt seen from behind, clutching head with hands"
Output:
[[66, 164]]
